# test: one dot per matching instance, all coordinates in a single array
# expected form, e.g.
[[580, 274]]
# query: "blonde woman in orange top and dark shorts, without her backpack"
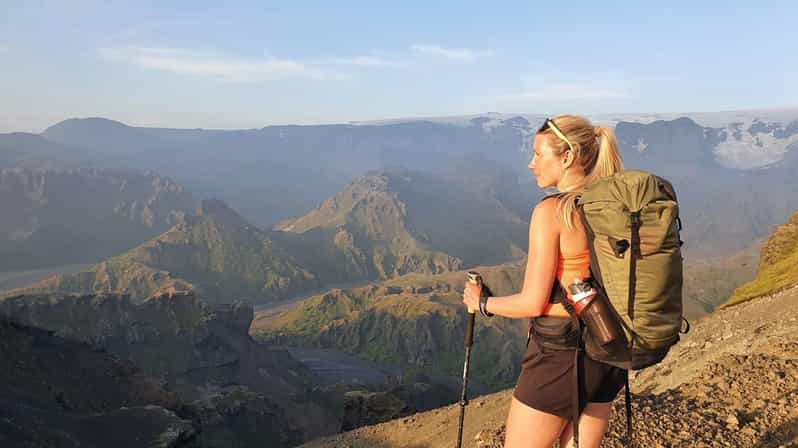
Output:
[[569, 154]]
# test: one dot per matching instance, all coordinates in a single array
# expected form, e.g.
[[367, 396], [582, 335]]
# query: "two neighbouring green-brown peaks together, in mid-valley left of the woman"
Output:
[[383, 225]]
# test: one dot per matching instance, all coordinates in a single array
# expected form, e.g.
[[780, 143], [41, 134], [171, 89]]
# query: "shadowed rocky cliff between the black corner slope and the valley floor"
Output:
[[237, 391]]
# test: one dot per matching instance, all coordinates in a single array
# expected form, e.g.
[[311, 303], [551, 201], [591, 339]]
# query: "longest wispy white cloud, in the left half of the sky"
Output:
[[203, 65]]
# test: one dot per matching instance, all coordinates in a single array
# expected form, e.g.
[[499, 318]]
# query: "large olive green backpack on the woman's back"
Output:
[[632, 224]]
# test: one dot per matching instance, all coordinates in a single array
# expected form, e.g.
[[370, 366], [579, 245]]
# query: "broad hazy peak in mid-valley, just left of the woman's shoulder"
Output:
[[398, 221]]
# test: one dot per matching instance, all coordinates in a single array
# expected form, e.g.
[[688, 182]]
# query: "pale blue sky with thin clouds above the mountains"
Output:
[[251, 64]]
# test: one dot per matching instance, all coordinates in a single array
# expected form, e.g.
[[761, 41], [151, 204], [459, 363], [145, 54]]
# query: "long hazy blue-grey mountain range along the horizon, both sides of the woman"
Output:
[[273, 173]]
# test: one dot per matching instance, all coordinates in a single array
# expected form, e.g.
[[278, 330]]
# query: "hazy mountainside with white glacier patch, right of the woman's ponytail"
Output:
[[723, 208]]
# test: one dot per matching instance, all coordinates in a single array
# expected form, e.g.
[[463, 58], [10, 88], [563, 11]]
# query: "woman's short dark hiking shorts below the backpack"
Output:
[[546, 382]]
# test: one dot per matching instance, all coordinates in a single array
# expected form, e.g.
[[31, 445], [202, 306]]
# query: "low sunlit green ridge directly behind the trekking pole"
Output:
[[415, 321]]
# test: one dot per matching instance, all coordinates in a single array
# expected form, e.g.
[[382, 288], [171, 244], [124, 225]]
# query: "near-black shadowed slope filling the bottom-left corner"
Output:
[[60, 393]]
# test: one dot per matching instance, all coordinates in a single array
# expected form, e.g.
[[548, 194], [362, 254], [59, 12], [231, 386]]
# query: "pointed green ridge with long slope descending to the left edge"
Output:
[[215, 253]]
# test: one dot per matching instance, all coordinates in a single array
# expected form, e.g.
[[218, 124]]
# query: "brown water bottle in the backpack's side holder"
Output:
[[594, 312]]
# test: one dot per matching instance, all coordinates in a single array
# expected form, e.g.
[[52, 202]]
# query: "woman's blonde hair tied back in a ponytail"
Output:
[[595, 151]]
